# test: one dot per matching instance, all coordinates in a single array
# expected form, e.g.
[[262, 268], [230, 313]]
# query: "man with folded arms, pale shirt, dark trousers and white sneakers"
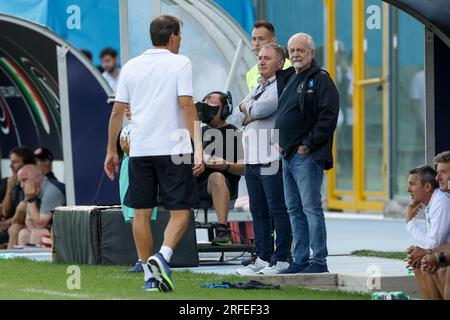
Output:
[[263, 173]]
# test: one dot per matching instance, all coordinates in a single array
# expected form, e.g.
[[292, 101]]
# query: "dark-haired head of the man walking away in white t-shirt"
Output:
[[162, 27]]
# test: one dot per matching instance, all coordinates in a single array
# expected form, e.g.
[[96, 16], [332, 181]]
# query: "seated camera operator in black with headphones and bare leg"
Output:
[[224, 161]]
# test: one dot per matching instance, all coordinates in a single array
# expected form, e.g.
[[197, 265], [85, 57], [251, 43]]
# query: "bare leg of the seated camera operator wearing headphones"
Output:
[[218, 190]]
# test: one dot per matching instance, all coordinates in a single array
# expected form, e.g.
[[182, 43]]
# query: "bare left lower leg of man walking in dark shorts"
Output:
[[142, 233]]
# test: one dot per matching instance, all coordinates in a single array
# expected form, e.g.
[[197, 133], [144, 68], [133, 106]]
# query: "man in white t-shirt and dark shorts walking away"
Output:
[[157, 86]]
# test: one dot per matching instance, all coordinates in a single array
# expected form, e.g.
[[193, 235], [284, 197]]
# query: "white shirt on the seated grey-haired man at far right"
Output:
[[437, 215]]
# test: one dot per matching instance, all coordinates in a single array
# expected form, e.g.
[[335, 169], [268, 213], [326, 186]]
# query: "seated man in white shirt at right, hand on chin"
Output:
[[424, 190]]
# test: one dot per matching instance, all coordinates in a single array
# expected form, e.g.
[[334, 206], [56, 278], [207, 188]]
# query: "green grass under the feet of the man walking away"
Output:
[[24, 279]]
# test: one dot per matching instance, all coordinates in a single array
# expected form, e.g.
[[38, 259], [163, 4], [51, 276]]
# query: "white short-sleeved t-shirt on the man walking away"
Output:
[[151, 84]]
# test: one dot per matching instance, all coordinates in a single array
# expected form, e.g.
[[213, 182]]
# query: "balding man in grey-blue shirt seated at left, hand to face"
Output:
[[42, 195]]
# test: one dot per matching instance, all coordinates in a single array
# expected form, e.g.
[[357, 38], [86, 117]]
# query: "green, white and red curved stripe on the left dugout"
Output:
[[29, 92]]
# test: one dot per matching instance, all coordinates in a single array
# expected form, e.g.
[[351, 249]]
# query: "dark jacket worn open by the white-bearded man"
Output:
[[320, 106]]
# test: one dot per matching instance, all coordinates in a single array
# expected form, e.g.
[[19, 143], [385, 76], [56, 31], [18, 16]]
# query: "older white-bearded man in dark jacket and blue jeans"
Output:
[[306, 119]]
